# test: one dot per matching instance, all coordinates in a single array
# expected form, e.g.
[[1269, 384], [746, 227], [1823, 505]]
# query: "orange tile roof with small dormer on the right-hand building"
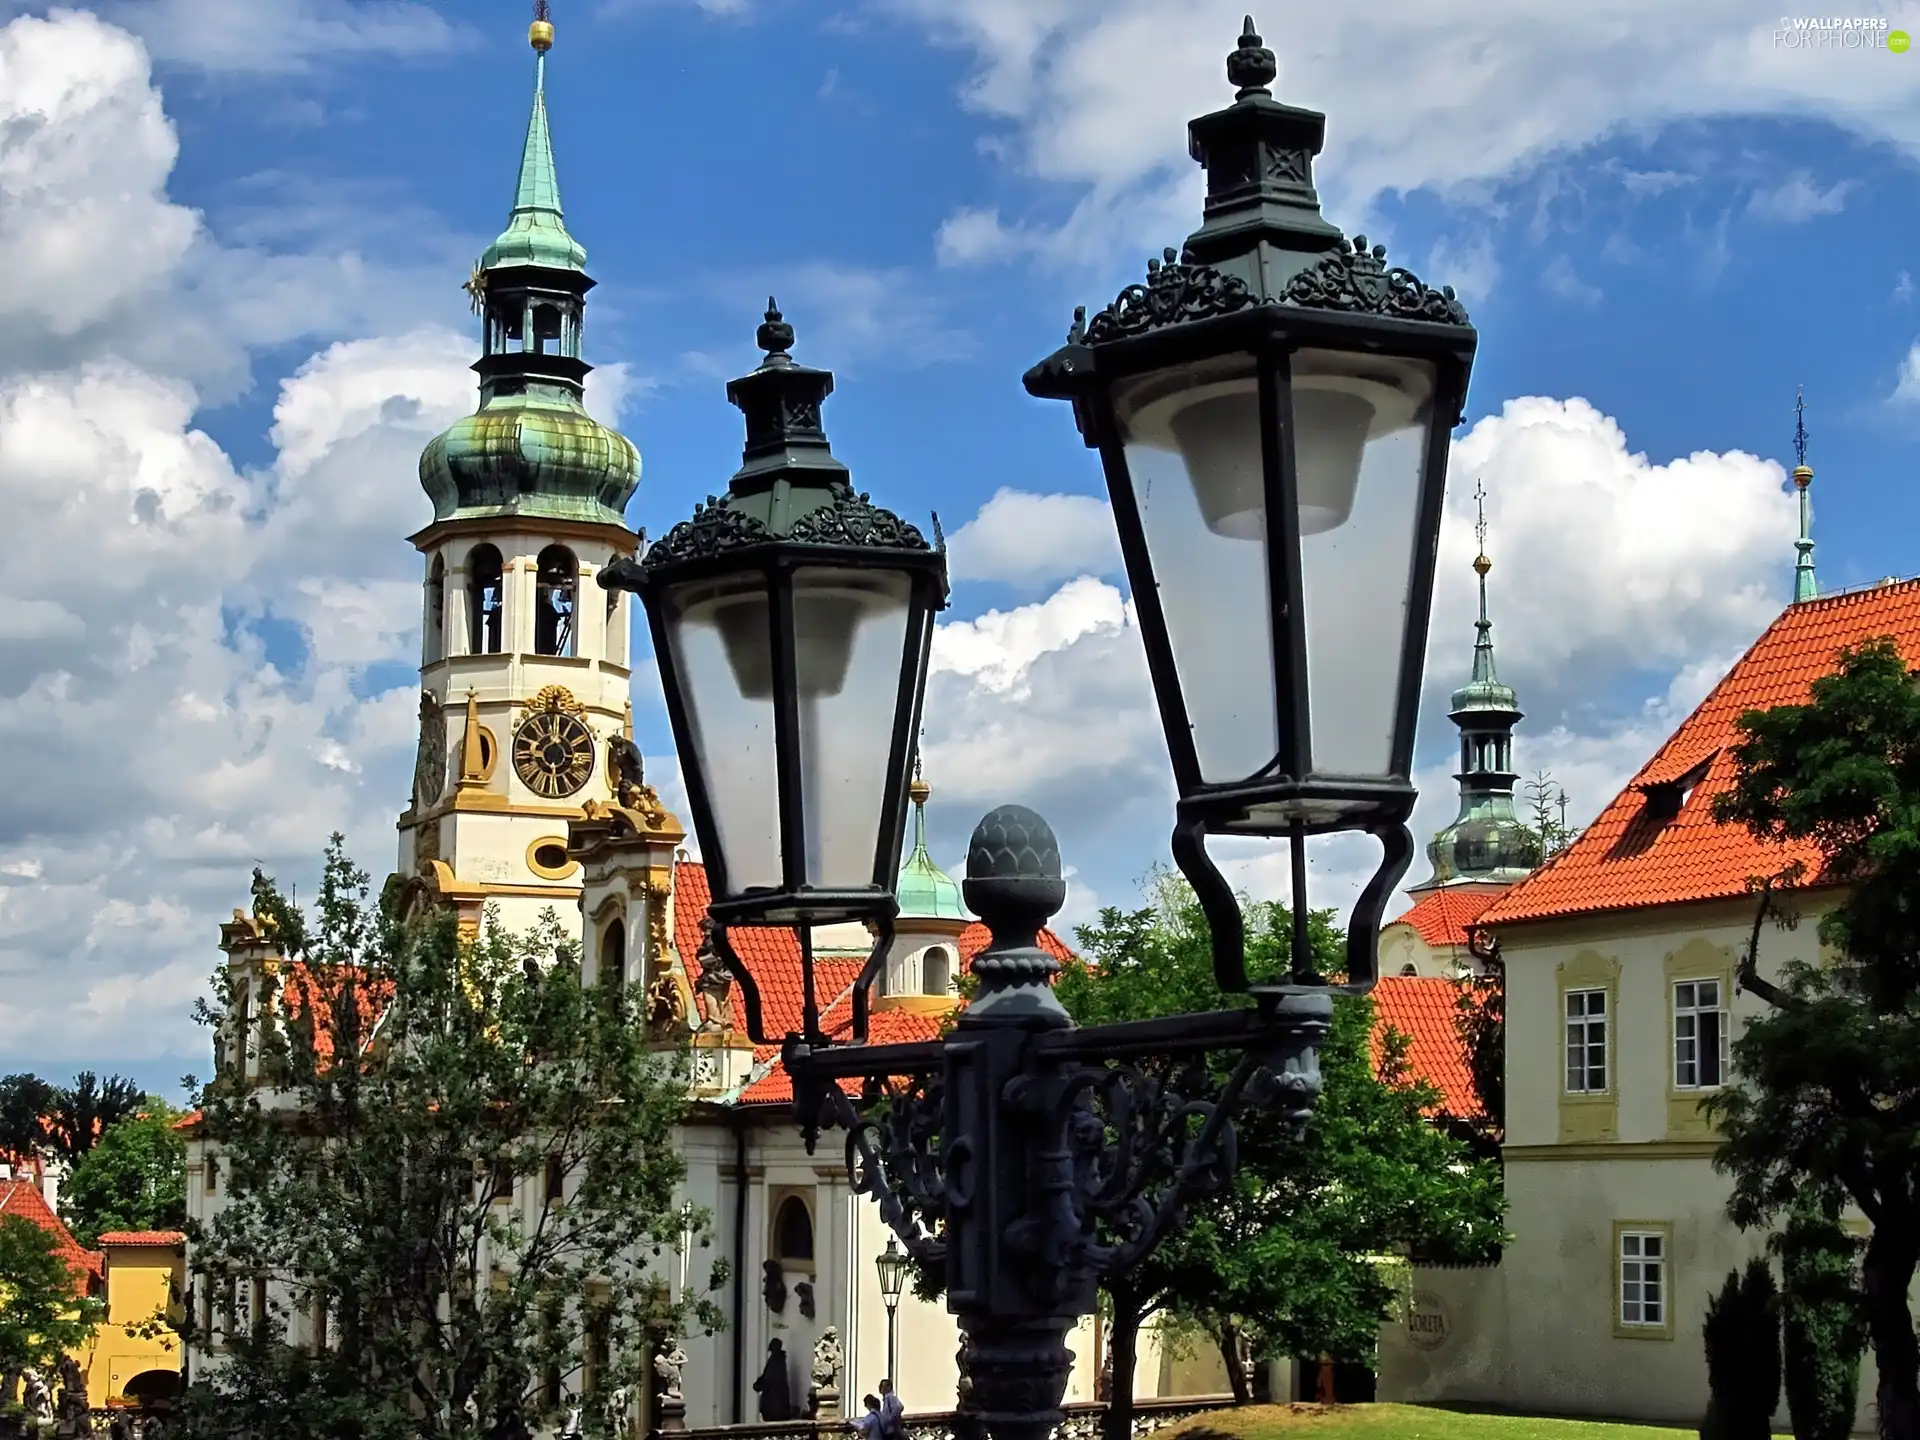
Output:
[[1629, 857]]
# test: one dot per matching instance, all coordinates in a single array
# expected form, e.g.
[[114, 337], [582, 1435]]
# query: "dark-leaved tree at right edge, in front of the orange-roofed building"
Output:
[[1827, 1086]]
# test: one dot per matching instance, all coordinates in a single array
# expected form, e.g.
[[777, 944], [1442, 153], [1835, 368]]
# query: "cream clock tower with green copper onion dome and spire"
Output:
[[525, 683]]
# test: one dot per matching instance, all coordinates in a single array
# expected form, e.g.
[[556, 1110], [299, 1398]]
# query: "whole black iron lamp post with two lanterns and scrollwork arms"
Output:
[[1272, 412]]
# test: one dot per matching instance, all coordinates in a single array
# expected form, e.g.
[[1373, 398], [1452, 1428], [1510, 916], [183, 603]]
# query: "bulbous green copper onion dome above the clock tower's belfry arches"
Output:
[[531, 454]]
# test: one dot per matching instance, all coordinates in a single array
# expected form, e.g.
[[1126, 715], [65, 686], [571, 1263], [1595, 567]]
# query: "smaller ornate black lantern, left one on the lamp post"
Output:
[[792, 621]]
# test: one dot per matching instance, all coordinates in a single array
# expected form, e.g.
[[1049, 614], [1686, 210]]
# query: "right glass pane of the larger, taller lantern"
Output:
[[1362, 433]]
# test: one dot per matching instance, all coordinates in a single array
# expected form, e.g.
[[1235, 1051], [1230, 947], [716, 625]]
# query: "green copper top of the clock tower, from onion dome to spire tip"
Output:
[[531, 448]]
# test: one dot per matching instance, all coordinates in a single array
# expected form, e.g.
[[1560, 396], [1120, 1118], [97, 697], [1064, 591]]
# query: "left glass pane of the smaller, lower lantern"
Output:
[[721, 640]]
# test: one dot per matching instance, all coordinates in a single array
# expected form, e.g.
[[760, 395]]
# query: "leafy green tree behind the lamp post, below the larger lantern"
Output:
[[1284, 1260]]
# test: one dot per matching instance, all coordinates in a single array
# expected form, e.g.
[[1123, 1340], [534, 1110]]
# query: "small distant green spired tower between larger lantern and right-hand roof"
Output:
[[1487, 844]]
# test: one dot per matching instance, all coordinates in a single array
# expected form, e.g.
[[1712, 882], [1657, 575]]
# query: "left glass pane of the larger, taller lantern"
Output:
[[1191, 437]]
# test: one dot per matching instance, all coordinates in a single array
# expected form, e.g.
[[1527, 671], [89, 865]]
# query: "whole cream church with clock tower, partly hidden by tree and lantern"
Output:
[[527, 796]]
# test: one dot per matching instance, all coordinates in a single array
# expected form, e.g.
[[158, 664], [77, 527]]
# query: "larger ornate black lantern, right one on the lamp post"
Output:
[[1274, 410]]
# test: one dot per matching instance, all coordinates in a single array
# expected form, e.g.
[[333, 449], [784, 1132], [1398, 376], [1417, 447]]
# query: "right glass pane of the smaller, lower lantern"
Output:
[[850, 631]]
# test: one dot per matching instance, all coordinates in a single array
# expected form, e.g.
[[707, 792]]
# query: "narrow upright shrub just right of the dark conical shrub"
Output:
[[1821, 1326]]
